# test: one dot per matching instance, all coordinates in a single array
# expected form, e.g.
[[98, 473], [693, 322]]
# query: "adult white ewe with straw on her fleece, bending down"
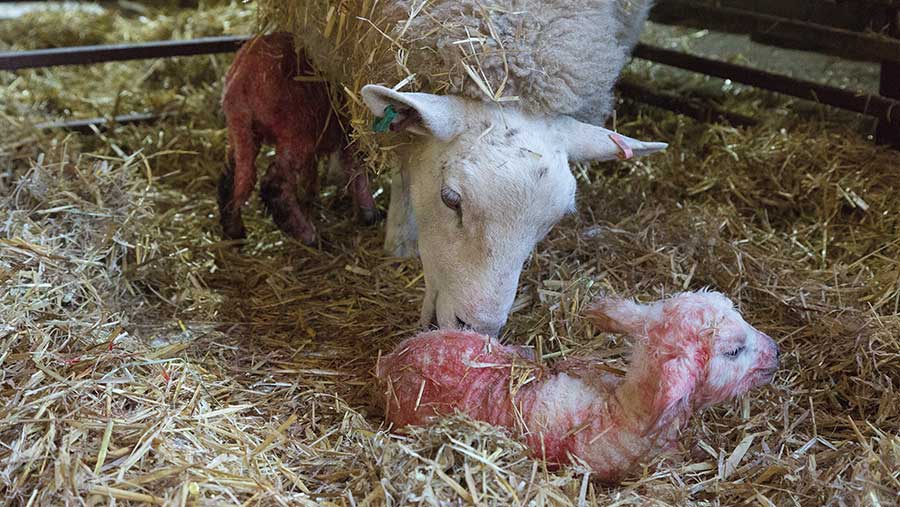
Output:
[[519, 89]]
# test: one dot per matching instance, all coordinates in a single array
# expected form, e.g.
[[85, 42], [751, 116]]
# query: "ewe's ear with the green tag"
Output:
[[420, 113]]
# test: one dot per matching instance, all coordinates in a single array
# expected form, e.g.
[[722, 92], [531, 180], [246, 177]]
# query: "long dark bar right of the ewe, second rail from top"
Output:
[[885, 109]]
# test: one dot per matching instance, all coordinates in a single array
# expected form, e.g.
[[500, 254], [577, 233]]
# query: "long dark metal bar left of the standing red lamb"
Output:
[[80, 55]]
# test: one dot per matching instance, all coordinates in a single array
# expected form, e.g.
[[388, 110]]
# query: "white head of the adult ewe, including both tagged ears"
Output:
[[483, 185]]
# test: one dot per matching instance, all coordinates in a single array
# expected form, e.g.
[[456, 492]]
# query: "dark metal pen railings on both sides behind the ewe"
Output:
[[885, 106]]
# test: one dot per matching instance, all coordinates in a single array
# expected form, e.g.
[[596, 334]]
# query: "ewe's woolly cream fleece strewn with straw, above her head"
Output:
[[552, 57]]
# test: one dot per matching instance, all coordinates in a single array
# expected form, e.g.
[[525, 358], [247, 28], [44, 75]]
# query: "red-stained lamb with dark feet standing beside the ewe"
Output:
[[264, 103]]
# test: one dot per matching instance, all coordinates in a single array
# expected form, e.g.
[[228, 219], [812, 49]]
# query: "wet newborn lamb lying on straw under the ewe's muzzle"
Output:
[[693, 350]]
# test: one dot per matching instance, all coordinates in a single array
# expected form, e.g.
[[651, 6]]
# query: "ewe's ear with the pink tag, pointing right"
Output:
[[588, 142]]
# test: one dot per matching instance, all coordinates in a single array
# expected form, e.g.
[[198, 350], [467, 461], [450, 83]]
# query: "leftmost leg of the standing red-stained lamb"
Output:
[[237, 181]]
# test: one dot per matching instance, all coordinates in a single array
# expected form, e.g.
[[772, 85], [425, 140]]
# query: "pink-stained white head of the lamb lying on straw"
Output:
[[694, 351]]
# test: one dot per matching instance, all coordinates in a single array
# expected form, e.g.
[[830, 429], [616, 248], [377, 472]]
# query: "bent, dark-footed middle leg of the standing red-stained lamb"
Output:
[[279, 194]]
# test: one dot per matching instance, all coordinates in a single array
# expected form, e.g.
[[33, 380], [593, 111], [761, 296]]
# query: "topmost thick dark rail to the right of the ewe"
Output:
[[803, 35]]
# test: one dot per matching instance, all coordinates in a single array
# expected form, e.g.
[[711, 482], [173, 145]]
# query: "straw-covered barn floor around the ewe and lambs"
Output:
[[144, 360]]
